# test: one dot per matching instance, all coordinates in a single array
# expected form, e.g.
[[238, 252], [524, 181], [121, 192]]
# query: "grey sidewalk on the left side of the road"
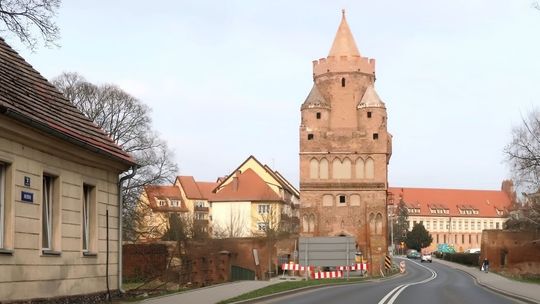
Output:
[[211, 294]]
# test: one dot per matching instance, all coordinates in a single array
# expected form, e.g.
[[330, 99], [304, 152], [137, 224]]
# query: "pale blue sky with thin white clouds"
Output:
[[226, 79]]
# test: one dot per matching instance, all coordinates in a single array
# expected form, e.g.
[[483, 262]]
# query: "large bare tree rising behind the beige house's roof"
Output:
[[127, 121]]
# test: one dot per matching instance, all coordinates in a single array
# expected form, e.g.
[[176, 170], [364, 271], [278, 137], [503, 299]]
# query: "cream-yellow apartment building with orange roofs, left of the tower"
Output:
[[241, 204]]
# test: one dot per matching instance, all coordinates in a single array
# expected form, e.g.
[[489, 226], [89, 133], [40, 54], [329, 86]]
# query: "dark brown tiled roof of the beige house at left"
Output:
[[27, 96]]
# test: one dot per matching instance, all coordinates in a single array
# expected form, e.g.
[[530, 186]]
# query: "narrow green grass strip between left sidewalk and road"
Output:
[[288, 285]]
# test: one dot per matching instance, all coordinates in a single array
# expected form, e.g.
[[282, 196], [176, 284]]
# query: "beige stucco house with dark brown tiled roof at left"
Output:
[[59, 191]]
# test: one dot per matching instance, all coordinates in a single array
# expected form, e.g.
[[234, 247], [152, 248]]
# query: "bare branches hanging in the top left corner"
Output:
[[20, 17]]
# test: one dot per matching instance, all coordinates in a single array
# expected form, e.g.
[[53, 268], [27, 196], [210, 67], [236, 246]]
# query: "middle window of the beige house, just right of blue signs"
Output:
[[49, 213]]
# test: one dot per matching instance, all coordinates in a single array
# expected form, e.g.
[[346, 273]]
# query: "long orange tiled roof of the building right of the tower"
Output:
[[486, 202]]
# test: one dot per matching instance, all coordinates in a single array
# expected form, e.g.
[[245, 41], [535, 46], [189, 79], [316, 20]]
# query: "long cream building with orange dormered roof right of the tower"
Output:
[[455, 216]]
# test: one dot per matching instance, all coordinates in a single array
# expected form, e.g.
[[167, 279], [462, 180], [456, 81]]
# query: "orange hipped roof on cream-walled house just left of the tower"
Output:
[[247, 186]]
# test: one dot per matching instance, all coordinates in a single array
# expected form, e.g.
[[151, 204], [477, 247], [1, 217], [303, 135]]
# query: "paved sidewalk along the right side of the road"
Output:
[[527, 292]]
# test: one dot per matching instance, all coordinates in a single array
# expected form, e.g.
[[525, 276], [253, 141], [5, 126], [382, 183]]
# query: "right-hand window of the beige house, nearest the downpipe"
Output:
[[89, 216]]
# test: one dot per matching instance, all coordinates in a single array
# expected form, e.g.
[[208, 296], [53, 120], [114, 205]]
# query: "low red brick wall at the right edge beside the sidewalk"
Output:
[[514, 252]]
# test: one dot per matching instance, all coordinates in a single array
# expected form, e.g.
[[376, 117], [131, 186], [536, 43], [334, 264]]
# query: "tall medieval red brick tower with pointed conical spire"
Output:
[[344, 151]]
